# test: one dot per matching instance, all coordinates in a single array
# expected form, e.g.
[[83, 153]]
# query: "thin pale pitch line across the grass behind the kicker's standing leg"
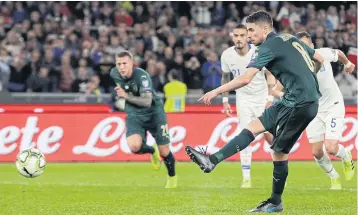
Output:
[[145, 185]]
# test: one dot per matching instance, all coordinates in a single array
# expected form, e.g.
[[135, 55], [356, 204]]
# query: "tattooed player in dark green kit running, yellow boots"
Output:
[[145, 112]]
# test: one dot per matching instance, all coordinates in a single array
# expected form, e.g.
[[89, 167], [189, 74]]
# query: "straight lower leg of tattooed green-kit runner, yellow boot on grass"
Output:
[[169, 162]]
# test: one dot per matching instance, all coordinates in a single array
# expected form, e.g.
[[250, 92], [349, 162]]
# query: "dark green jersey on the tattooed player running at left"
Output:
[[139, 83]]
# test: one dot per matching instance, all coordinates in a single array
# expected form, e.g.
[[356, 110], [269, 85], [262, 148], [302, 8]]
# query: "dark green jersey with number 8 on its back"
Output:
[[289, 60]]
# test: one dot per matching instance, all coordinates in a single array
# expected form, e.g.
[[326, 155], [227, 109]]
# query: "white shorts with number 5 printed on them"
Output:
[[327, 125]]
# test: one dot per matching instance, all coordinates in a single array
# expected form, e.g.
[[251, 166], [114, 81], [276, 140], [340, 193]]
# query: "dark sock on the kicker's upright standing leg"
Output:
[[280, 172]]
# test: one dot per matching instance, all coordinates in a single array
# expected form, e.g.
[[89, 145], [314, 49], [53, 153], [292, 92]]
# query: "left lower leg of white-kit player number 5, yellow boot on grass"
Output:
[[325, 163]]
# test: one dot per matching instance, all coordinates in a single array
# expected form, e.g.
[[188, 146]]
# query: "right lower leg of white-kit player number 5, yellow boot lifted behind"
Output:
[[334, 148]]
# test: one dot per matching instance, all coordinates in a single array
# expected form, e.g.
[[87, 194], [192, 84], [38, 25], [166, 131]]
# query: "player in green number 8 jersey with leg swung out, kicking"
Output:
[[290, 61]]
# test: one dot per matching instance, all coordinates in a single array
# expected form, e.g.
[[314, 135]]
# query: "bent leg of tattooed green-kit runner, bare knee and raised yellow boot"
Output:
[[136, 145]]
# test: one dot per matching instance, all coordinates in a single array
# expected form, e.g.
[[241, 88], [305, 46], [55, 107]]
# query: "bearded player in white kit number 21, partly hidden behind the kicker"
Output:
[[252, 99]]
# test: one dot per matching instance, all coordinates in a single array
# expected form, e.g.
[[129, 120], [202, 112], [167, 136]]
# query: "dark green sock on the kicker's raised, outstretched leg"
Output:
[[238, 143]]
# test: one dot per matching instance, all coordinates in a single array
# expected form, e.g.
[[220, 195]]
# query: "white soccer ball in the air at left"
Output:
[[30, 163]]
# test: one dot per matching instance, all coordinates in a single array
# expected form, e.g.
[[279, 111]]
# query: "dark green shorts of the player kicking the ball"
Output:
[[287, 123]]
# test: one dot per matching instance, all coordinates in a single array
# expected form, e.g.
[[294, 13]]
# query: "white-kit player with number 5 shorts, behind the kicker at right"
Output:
[[327, 127]]
